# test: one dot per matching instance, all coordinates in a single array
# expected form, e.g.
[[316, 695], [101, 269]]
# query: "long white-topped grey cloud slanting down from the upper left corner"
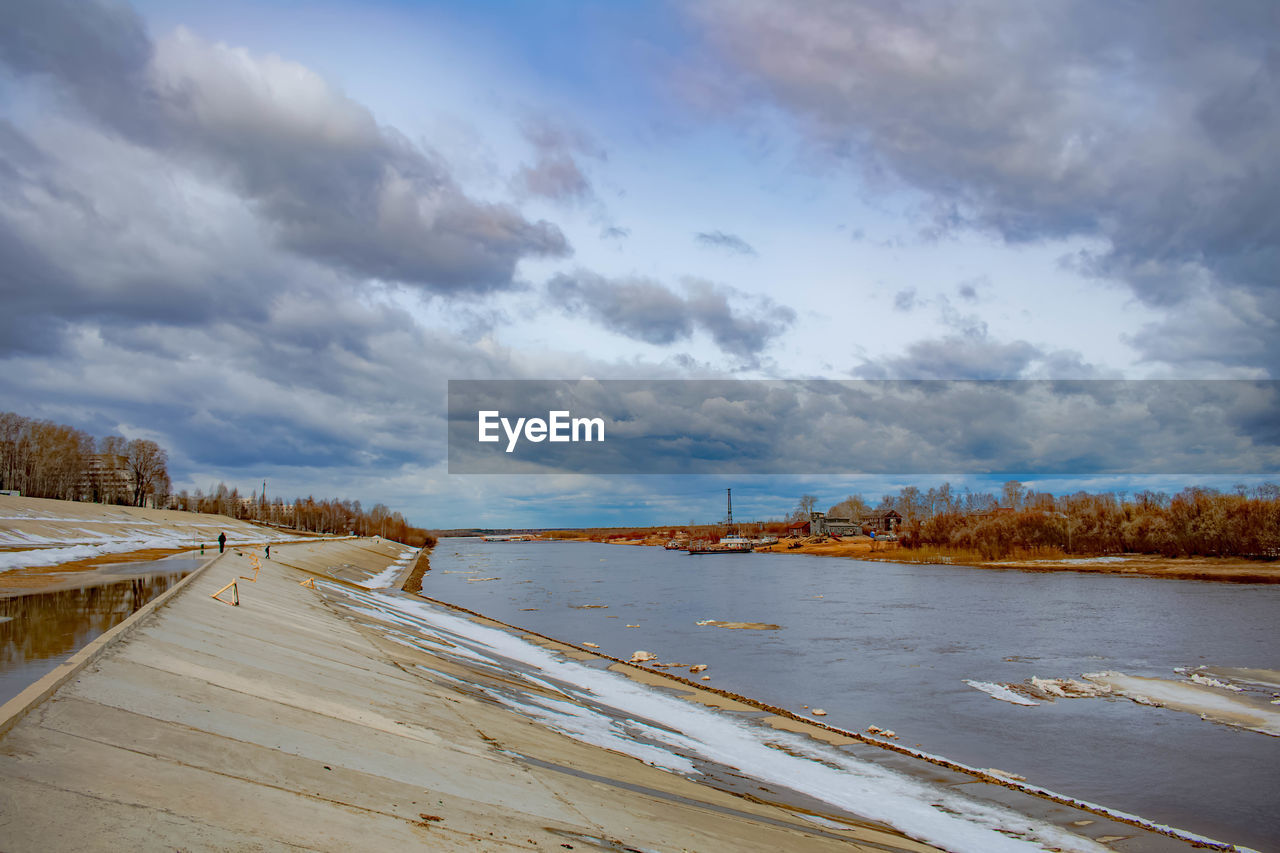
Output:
[[332, 184]]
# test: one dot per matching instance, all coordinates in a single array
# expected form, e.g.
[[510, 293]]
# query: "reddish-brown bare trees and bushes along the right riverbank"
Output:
[[1196, 522]]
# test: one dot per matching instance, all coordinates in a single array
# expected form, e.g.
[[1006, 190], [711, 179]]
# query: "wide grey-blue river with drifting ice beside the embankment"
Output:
[[893, 645]]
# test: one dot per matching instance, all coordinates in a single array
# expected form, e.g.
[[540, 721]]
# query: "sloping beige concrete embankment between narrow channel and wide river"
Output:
[[299, 720]]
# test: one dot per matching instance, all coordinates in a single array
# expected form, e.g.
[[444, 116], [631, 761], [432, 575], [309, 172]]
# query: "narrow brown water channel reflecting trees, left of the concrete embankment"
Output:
[[40, 631]]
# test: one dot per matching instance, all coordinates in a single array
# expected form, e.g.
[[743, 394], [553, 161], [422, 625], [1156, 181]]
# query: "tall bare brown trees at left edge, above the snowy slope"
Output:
[[43, 459]]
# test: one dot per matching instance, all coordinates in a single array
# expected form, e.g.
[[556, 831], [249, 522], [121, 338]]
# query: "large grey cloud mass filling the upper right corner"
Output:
[[1149, 127]]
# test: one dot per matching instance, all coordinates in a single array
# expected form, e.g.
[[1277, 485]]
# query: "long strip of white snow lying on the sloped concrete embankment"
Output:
[[614, 711]]
